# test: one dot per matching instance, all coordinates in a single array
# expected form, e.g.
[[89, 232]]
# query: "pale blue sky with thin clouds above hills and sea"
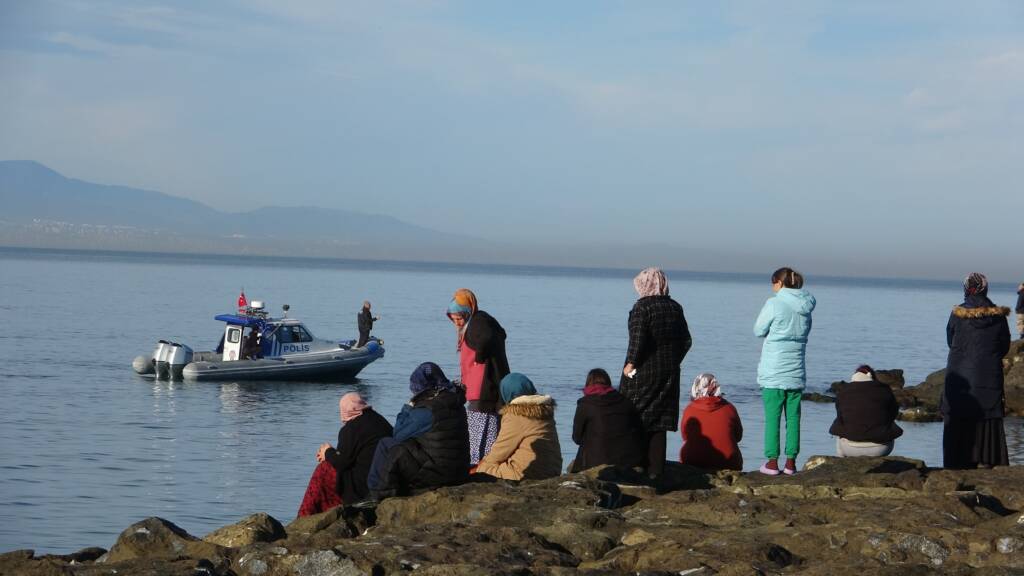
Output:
[[855, 138]]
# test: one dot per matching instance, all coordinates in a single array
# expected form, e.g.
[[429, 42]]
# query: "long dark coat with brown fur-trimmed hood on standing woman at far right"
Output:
[[978, 339]]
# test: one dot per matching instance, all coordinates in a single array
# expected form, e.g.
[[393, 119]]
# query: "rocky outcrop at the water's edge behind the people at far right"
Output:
[[921, 403]]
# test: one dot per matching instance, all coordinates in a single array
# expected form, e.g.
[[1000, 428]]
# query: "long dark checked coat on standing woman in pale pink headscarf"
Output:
[[659, 341]]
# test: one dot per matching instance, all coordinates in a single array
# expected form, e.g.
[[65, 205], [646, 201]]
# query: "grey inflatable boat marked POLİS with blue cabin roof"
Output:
[[257, 347]]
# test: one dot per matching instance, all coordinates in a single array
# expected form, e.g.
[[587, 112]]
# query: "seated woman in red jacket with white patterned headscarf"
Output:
[[711, 429]]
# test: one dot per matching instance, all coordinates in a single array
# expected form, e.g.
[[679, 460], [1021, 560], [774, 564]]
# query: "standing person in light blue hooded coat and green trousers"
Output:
[[785, 323]]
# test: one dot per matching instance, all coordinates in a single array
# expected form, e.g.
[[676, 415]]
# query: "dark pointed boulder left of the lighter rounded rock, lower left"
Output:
[[158, 539]]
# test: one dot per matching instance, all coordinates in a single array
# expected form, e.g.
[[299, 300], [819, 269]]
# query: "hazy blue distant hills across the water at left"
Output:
[[45, 209]]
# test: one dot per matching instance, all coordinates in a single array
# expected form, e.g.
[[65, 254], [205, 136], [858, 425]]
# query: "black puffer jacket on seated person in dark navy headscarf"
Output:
[[437, 458]]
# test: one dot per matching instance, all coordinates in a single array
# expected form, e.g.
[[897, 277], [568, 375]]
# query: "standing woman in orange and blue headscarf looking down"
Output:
[[484, 364]]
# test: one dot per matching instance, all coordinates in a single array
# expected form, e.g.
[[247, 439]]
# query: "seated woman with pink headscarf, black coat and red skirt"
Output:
[[342, 475]]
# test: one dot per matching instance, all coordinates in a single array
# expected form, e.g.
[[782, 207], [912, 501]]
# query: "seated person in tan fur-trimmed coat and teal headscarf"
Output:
[[528, 442]]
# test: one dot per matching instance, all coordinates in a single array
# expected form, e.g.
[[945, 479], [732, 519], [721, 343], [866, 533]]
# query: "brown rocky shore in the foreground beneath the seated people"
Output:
[[859, 516]]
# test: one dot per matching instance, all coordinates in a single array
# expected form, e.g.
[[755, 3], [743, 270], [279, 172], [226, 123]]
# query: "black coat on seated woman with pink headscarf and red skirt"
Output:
[[357, 444]]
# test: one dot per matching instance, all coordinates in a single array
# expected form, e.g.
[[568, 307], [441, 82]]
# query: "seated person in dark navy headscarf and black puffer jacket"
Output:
[[431, 446]]
